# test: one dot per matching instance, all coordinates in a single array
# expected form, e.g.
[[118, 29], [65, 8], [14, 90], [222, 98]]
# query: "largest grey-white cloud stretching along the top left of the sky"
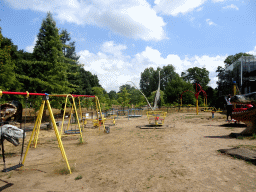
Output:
[[120, 16]]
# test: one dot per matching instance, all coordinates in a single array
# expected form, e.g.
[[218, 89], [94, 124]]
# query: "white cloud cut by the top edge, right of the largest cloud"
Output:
[[176, 7]]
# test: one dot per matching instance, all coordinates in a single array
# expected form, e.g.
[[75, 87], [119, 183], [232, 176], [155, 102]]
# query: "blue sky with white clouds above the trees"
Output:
[[118, 39]]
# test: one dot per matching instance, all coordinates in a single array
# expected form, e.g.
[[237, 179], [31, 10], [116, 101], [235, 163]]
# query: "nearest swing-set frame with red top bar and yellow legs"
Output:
[[35, 132]]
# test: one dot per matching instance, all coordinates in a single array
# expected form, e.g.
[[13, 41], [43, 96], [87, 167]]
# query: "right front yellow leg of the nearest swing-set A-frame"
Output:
[[57, 134]]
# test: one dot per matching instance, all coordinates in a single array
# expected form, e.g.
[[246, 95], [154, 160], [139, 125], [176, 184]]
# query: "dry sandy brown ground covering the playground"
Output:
[[182, 156]]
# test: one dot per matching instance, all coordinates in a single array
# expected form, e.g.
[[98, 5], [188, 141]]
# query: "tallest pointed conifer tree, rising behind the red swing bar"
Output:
[[48, 48]]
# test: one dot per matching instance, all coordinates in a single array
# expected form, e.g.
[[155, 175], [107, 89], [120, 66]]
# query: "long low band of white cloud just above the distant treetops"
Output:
[[115, 70]]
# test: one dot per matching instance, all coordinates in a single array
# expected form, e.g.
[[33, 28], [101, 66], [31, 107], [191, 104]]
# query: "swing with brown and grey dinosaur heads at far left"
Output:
[[10, 132]]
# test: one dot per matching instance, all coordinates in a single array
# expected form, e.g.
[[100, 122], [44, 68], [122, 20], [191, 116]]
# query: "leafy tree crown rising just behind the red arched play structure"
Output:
[[197, 75]]
